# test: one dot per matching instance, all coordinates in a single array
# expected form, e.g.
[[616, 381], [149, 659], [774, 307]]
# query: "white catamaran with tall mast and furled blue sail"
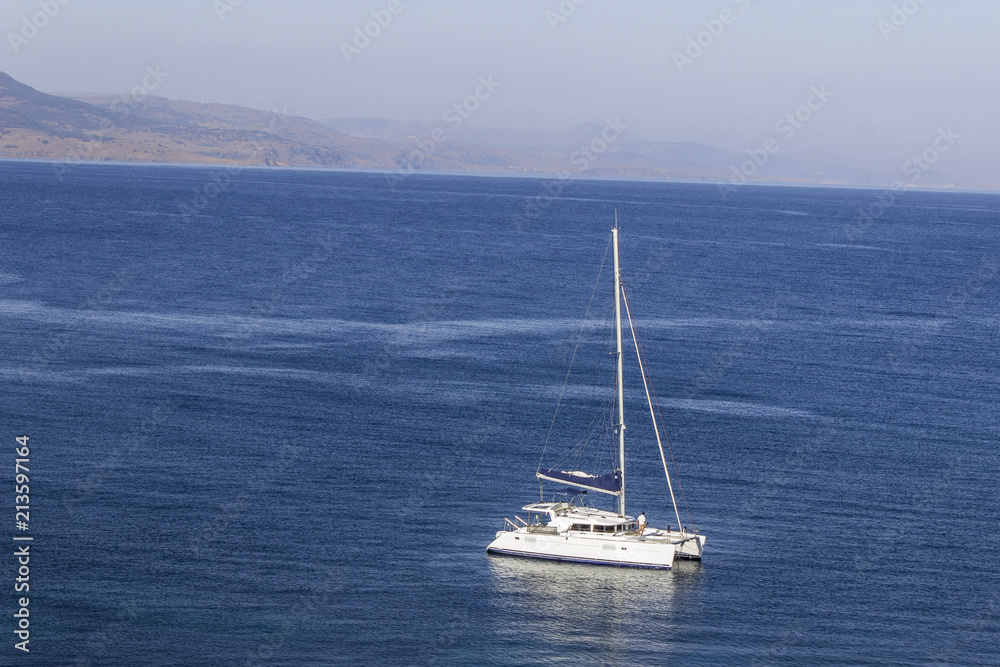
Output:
[[571, 532]]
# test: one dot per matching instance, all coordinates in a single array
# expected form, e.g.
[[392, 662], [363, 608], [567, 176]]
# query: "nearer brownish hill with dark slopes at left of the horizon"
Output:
[[37, 125]]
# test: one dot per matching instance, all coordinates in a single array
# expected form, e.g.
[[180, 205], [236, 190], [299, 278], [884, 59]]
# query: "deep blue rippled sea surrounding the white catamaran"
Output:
[[276, 416]]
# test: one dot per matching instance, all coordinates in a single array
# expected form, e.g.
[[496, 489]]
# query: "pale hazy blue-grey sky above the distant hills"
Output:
[[896, 71]]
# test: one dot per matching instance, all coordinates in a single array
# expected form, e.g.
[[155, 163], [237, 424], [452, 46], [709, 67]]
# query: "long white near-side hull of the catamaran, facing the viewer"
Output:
[[613, 550]]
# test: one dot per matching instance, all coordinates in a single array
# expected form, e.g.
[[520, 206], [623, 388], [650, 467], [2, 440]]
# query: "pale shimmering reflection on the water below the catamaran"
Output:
[[593, 613]]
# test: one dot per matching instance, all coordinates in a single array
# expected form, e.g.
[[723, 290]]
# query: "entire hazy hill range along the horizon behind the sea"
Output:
[[154, 129]]
